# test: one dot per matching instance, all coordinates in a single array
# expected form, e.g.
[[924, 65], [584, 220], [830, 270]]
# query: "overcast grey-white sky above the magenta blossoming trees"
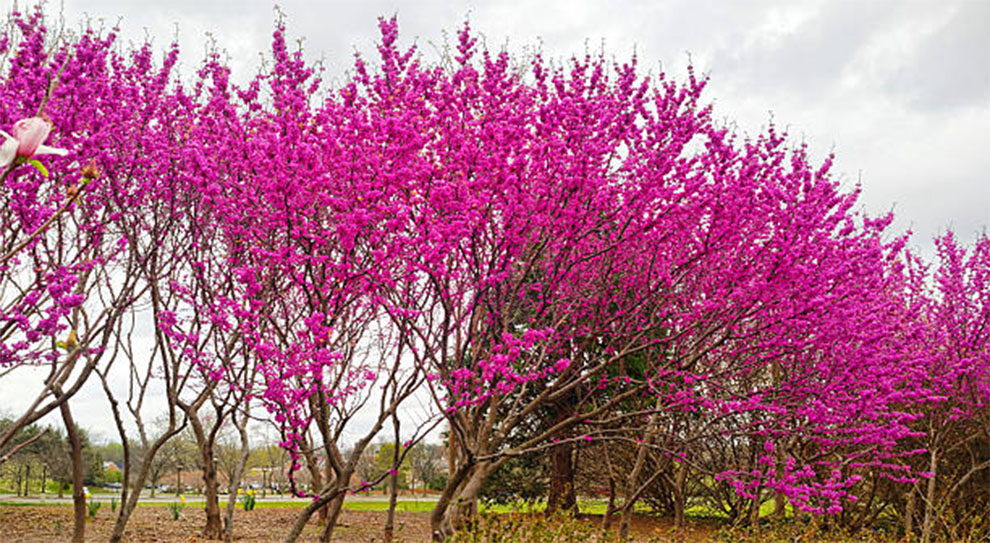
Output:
[[899, 90]]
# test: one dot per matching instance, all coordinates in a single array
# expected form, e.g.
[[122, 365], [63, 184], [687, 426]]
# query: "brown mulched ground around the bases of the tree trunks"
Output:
[[24, 524]]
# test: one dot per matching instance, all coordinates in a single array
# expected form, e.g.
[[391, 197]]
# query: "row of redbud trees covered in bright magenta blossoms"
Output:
[[546, 254]]
